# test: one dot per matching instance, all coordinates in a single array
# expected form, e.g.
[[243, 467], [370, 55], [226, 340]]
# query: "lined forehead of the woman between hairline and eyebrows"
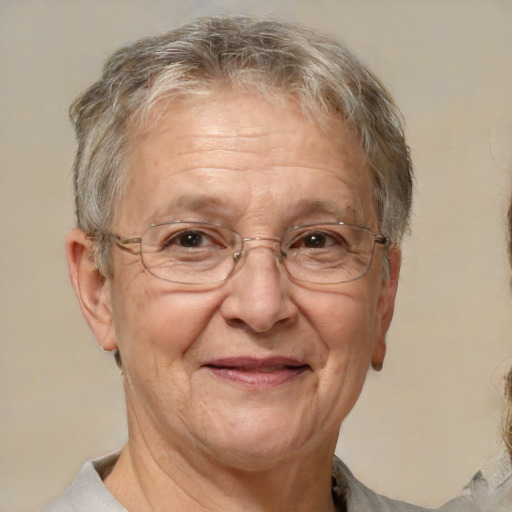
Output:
[[207, 152]]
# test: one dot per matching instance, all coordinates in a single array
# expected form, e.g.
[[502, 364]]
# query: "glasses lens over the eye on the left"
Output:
[[189, 252]]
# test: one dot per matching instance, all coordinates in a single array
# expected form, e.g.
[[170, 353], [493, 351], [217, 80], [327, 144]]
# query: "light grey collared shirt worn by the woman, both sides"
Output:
[[490, 490]]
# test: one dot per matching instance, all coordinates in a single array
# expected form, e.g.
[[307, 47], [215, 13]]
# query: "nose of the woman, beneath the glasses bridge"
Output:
[[258, 290]]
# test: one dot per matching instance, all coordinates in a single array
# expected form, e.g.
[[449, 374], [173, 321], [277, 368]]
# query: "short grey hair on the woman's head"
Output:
[[276, 58]]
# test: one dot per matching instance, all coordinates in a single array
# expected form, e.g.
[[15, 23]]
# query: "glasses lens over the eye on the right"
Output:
[[328, 253]]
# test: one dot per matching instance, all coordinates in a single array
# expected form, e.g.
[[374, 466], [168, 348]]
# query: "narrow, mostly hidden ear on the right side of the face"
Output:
[[385, 308]]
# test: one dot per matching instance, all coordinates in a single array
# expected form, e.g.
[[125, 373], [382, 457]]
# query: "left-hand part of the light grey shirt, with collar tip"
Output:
[[87, 491]]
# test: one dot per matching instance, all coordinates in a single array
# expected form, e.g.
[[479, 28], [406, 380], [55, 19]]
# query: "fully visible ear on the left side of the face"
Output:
[[91, 288]]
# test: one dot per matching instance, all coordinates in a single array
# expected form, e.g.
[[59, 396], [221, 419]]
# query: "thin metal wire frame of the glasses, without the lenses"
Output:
[[123, 242]]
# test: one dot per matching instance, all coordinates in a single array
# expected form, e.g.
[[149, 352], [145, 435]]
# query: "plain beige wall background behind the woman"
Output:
[[429, 419]]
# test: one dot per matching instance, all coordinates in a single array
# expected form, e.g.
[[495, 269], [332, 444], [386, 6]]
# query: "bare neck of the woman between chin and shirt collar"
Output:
[[148, 477]]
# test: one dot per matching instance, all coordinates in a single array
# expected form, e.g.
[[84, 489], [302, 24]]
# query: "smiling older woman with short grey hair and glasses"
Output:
[[242, 187]]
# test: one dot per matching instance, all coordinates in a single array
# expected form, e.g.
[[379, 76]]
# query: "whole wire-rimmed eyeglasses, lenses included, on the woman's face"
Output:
[[205, 253]]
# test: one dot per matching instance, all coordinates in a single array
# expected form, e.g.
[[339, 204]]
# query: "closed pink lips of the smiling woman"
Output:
[[257, 372]]
